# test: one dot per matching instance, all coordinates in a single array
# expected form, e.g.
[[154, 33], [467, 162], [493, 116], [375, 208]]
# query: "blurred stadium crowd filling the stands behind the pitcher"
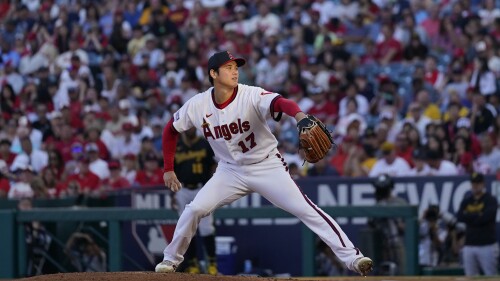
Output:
[[407, 87]]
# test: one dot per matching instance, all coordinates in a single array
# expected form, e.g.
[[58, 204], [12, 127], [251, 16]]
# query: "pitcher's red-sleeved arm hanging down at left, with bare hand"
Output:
[[169, 144]]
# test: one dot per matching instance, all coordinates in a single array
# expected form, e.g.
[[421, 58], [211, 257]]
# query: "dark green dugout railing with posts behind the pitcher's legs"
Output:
[[13, 223]]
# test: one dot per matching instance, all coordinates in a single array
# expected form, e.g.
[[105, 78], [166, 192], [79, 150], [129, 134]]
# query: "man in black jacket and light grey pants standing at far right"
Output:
[[478, 211]]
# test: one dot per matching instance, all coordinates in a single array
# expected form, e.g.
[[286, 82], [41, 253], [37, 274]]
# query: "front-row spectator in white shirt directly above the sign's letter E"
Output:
[[389, 163]]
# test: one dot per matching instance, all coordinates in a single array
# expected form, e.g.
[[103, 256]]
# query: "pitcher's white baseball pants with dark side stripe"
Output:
[[269, 178]]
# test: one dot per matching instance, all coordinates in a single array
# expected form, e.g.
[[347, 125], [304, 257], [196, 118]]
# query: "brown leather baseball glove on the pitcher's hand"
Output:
[[314, 138]]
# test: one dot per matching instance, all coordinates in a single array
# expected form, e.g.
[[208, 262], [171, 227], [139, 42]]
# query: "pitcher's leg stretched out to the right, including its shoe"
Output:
[[271, 179]]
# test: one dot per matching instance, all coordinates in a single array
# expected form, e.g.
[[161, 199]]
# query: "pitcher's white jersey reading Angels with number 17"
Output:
[[238, 133]]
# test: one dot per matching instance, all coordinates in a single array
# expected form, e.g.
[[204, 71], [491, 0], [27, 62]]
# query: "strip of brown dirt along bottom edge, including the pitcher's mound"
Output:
[[151, 276]]
